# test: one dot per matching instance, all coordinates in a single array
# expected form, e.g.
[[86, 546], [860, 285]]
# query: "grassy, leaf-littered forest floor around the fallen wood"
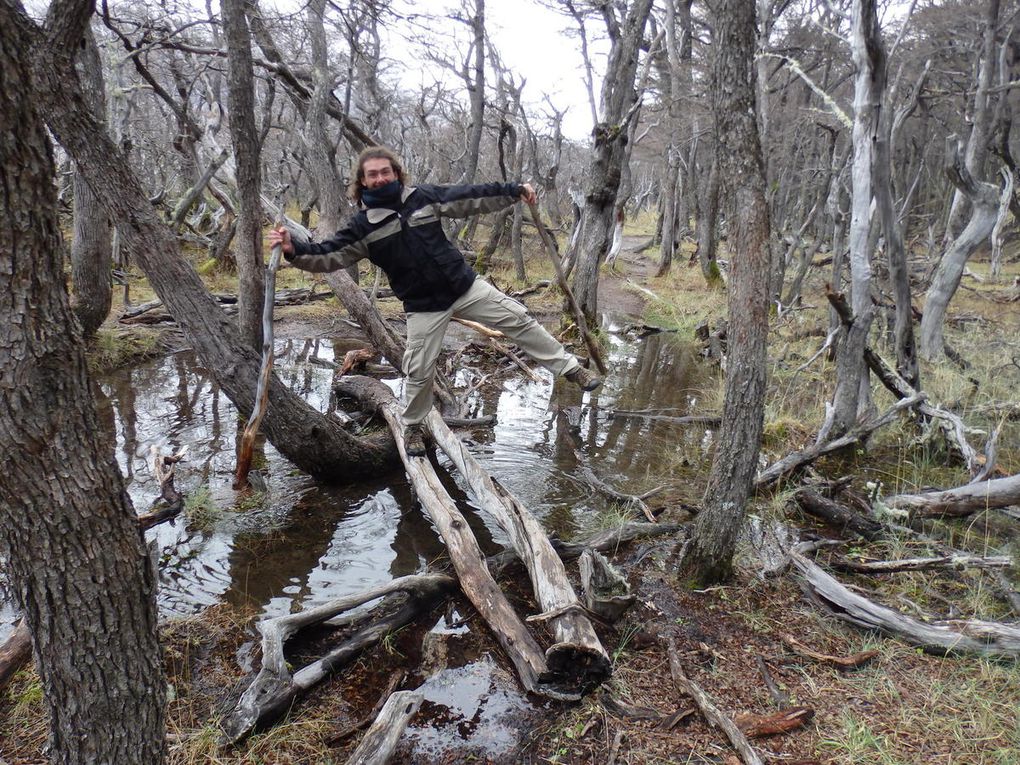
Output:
[[743, 642]]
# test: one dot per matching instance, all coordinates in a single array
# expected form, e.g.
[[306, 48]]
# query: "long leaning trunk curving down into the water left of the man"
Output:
[[315, 443]]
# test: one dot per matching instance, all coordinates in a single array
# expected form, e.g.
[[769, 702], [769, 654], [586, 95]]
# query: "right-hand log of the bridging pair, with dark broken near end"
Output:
[[578, 653]]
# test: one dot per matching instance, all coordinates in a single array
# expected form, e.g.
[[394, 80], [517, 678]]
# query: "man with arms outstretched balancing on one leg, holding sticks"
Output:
[[399, 230]]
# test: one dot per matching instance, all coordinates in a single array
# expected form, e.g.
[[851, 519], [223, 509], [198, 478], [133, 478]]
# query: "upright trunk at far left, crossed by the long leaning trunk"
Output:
[[92, 248]]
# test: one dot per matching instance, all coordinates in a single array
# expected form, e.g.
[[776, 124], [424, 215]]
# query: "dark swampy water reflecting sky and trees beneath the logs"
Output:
[[301, 543]]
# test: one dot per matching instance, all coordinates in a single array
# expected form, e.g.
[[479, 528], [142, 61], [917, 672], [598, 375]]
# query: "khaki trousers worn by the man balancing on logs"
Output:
[[487, 305]]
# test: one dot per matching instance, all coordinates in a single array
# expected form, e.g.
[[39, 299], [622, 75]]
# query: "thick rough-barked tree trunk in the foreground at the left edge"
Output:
[[76, 560]]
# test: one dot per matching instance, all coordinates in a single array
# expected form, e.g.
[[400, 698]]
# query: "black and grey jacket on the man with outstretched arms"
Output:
[[426, 272]]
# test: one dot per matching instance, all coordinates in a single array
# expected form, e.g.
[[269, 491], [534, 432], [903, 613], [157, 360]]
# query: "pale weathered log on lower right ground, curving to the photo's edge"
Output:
[[955, 637]]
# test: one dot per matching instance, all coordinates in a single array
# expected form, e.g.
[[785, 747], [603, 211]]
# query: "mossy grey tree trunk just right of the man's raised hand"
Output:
[[609, 152]]
